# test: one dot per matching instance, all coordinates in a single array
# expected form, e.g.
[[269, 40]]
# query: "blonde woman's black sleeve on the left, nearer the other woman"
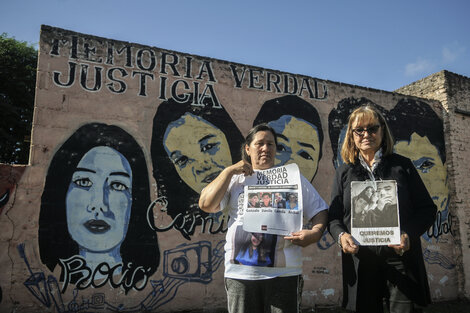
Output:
[[336, 209]]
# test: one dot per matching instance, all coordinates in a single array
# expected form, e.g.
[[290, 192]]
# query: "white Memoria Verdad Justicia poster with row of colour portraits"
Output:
[[273, 201]]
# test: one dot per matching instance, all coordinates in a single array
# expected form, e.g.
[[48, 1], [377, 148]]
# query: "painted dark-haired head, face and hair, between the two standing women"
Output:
[[299, 132]]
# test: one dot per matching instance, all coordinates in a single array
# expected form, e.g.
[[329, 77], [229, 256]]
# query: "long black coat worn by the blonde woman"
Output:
[[417, 214]]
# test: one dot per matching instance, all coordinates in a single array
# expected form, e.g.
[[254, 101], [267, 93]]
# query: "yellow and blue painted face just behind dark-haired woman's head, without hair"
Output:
[[298, 142]]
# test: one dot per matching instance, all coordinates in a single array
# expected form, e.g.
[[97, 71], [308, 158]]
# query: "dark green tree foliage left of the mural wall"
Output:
[[18, 63]]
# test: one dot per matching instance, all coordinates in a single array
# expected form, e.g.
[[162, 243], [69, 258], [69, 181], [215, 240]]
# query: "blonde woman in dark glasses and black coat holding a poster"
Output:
[[380, 278]]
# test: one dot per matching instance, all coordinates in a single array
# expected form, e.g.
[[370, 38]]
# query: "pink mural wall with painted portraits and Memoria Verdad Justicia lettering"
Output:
[[125, 137]]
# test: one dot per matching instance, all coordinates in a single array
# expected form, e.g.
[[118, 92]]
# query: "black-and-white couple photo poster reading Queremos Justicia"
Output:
[[375, 216]]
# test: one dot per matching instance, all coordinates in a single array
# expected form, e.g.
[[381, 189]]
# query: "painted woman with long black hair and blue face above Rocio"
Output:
[[94, 203]]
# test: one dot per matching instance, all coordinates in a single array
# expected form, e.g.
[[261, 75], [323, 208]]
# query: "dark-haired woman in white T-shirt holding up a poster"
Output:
[[264, 288]]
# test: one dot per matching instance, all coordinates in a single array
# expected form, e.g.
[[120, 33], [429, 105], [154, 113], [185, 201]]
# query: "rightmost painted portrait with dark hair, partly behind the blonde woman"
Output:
[[419, 135]]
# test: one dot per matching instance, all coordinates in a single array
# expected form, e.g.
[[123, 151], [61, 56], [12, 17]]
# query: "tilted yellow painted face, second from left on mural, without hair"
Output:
[[198, 150]]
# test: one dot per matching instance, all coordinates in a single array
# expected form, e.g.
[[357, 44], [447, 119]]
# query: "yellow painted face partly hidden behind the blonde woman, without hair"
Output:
[[428, 163]]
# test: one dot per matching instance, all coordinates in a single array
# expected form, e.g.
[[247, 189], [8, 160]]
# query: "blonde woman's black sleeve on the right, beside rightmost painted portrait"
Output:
[[423, 209]]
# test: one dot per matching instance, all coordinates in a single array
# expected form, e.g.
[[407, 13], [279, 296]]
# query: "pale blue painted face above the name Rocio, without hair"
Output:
[[99, 200]]
